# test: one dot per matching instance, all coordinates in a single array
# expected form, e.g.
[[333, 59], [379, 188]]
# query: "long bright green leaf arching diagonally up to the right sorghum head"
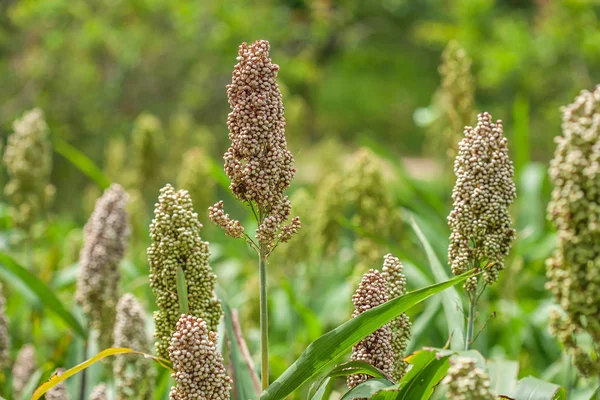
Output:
[[341, 339]]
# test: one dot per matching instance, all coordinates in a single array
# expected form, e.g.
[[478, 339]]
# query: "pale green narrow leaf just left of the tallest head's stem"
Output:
[[246, 386]]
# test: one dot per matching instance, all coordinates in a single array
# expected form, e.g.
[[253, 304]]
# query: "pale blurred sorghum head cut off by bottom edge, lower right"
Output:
[[466, 381]]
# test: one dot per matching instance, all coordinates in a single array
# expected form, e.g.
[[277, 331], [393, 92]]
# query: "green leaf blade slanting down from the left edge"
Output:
[[46, 296]]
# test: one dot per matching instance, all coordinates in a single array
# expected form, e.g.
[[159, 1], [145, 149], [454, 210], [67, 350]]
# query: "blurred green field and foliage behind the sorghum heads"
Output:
[[138, 86]]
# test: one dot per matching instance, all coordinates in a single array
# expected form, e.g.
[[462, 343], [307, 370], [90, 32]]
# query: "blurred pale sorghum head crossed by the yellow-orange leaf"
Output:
[[134, 375]]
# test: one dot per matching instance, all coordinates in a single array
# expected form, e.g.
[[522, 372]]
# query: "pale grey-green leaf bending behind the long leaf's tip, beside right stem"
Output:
[[452, 303]]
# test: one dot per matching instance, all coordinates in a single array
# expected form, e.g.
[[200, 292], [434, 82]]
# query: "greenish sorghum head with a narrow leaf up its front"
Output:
[[176, 242]]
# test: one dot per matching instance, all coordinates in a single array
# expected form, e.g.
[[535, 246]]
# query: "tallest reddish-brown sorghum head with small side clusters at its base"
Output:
[[258, 161]]
